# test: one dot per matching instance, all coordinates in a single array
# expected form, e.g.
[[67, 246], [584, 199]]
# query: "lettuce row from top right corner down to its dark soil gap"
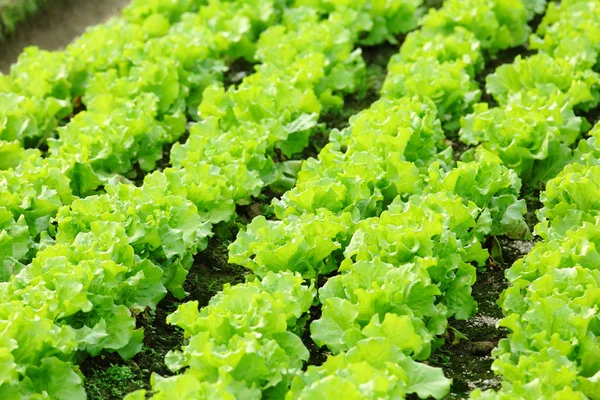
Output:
[[534, 126]]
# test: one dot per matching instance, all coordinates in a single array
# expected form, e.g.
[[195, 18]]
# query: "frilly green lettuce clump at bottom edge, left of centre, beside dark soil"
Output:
[[240, 344]]
